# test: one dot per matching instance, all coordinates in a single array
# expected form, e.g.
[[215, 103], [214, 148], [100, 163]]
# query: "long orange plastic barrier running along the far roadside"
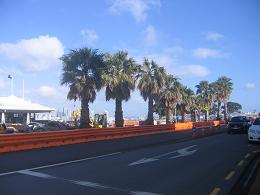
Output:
[[25, 141]]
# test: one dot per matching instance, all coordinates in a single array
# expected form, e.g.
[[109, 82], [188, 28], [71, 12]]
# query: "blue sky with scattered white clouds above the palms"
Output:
[[195, 40]]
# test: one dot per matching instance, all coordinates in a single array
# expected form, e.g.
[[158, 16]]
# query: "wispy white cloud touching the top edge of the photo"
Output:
[[137, 8]]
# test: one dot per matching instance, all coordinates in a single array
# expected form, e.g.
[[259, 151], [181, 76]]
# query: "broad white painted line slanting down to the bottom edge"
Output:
[[83, 183]]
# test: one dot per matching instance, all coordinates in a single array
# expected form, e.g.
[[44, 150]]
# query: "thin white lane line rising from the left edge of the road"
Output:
[[60, 164]]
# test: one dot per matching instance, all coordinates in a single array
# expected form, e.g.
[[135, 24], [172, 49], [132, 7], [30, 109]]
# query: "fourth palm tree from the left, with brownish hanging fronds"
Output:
[[170, 95]]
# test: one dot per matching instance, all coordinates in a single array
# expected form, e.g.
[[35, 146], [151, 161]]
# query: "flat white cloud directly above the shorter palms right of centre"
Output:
[[193, 70]]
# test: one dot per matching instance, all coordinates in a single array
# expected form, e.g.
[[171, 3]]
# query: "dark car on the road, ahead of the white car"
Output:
[[239, 124]]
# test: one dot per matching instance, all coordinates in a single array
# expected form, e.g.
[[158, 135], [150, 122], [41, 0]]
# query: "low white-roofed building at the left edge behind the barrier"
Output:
[[17, 110]]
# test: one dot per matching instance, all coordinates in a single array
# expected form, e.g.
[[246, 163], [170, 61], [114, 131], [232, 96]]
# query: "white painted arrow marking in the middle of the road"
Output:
[[180, 153]]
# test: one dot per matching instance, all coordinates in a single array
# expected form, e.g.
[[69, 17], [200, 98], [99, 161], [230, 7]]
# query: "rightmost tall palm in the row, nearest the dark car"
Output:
[[225, 88]]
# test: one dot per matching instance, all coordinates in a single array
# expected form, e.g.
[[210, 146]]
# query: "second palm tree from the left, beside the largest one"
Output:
[[120, 79]]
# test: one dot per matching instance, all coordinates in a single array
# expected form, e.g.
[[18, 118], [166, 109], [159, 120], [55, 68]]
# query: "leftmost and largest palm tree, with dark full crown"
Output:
[[82, 72]]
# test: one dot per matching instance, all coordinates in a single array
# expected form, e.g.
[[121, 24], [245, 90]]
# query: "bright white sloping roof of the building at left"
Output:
[[16, 104]]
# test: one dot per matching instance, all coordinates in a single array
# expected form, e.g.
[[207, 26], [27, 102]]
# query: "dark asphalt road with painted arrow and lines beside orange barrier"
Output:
[[209, 165]]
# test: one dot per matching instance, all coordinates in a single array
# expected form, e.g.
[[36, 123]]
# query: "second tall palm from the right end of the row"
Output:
[[205, 95]]
